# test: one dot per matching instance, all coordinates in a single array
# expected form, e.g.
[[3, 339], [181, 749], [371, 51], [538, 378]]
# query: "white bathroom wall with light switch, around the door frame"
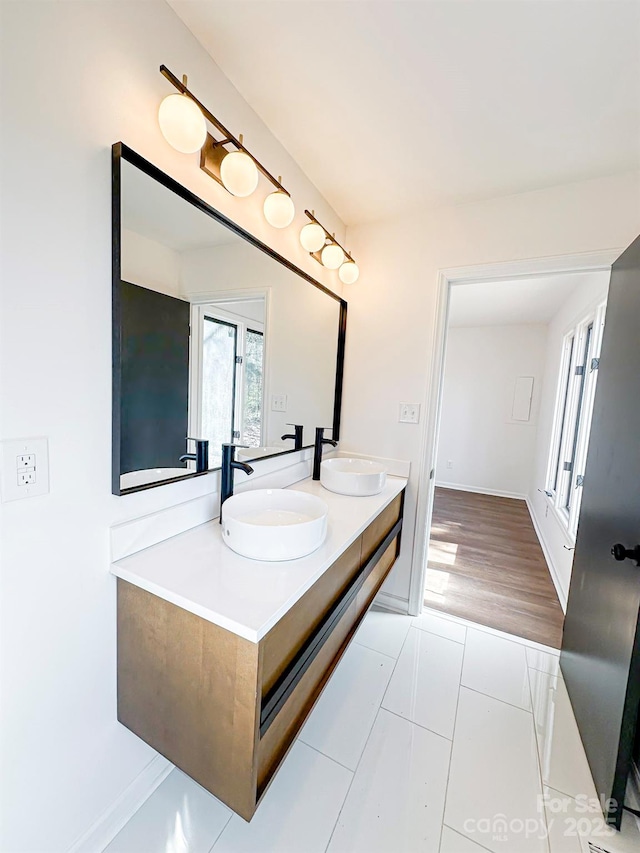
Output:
[[392, 307]]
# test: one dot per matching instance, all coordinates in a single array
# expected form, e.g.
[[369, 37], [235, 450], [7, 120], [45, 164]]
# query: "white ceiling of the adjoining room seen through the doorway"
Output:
[[516, 301]]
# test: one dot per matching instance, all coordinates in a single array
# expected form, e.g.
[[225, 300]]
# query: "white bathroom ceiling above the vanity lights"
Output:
[[392, 106]]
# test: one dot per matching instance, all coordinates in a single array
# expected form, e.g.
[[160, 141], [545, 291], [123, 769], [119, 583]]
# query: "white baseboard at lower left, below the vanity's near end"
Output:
[[103, 830]]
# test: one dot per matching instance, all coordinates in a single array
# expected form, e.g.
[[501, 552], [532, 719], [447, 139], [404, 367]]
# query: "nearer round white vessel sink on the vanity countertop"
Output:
[[274, 524]]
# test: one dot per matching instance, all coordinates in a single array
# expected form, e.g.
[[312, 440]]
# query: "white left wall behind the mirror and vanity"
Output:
[[83, 75]]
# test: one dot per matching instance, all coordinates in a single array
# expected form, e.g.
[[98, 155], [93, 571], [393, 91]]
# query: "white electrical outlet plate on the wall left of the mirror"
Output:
[[20, 480]]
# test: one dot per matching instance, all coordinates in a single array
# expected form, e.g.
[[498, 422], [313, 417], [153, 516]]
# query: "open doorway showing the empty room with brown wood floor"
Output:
[[500, 539]]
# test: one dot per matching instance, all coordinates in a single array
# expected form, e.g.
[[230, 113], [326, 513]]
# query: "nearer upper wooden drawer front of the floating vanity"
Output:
[[284, 641]]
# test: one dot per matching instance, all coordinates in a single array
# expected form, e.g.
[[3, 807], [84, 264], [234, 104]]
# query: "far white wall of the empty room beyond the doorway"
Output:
[[489, 451]]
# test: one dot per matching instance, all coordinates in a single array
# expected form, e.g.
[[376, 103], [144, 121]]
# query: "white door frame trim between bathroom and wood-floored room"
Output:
[[600, 261]]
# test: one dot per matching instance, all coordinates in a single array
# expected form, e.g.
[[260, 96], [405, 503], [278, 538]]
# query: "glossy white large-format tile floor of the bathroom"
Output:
[[434, 735]]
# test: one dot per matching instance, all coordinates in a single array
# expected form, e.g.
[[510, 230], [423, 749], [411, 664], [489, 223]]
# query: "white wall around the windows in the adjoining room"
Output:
[[553, 535]]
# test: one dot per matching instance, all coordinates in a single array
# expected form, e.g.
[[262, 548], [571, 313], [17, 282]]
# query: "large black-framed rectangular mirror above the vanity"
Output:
[[215, 336]]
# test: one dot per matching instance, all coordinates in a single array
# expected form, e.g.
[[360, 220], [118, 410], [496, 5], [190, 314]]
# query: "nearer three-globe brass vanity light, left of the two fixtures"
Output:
[[237, 170]]
